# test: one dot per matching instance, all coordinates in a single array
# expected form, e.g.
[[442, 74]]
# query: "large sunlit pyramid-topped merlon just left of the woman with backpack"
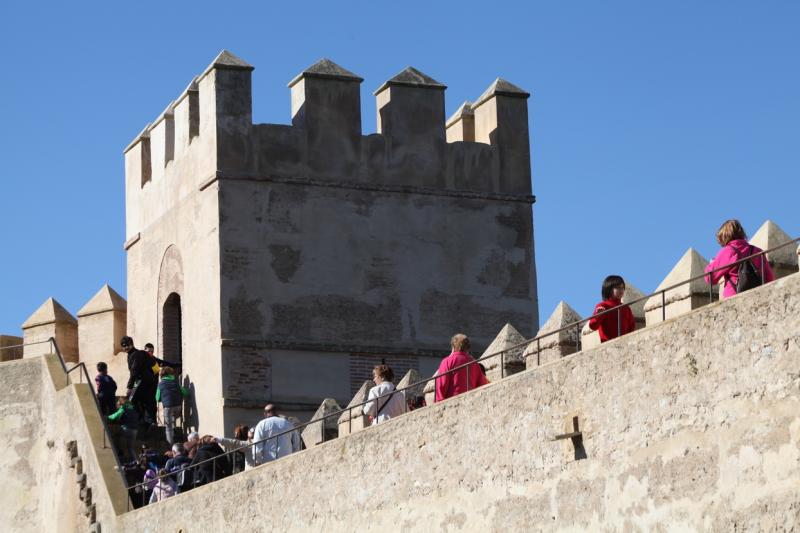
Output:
[[686, 297]]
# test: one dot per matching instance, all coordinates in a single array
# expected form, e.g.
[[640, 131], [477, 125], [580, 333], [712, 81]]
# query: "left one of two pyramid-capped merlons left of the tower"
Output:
[[51, 319]]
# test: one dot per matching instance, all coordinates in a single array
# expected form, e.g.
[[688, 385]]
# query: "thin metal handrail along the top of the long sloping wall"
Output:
[[501, 353]]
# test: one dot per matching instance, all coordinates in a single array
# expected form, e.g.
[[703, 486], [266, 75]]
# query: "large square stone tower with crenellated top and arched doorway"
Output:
[[280, 262]]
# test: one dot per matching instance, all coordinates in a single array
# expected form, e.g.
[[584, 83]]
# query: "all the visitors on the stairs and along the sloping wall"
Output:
[[201, 460]]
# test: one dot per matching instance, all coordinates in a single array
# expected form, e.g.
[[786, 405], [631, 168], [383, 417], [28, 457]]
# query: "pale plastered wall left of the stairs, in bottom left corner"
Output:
[[40, 414]]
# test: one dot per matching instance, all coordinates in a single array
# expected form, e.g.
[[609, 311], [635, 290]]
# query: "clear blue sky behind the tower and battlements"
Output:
[[651, 122]]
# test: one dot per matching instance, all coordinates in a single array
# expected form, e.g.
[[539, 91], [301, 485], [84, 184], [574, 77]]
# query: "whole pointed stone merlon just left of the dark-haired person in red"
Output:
[[555, 345]]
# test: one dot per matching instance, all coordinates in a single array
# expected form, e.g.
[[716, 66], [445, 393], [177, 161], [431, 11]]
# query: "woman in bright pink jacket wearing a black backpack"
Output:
[[732, 238]]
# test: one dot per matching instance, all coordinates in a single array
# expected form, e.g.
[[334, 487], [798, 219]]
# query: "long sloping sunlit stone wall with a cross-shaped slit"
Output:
[[694, 422]]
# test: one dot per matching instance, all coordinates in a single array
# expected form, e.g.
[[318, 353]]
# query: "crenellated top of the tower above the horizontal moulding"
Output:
[[207, 134]]
